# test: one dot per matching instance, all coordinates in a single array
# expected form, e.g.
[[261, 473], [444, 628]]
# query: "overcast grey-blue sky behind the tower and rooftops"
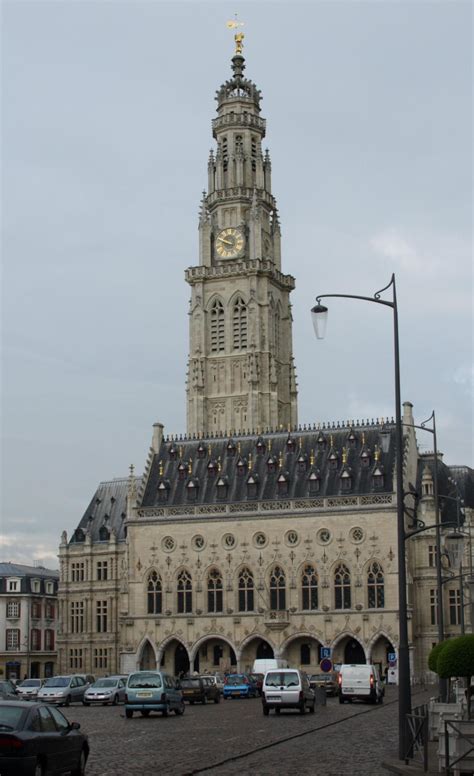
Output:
[[107, 110]]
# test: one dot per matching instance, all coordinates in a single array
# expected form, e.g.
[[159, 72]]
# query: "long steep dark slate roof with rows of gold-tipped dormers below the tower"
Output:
[[200, 464]]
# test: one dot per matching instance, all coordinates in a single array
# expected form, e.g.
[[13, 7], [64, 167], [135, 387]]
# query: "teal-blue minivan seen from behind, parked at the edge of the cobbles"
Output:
[[148, 691]]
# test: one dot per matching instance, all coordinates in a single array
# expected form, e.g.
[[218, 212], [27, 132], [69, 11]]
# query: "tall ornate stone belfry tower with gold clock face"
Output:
[[241, 374]]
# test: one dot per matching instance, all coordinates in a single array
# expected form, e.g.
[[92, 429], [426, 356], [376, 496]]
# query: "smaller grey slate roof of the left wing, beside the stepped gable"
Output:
[[107, 510]]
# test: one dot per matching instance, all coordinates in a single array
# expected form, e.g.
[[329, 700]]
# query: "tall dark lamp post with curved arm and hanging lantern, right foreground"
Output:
[[319, 315]]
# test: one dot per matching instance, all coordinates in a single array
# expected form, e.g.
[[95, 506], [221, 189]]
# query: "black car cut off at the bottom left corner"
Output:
[[37, 739]]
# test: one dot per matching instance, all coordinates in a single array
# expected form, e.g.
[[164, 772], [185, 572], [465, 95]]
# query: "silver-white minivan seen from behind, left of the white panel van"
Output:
[[287, 689]]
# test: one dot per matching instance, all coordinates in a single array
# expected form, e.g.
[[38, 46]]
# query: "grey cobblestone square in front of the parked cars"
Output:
[[339, 740]]
